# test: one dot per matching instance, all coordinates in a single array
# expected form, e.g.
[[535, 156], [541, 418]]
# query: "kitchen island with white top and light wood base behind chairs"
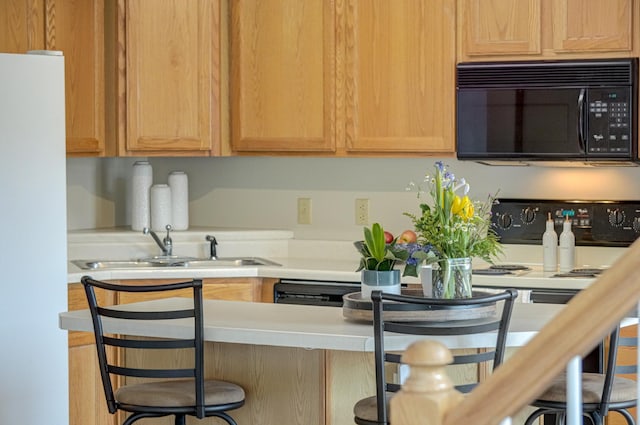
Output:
[[301, 365]]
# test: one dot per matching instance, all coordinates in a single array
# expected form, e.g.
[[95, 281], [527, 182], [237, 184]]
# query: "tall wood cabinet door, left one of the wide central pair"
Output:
[[283, 75]]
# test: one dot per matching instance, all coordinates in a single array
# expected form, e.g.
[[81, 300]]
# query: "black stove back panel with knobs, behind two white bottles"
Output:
[[594, 223]]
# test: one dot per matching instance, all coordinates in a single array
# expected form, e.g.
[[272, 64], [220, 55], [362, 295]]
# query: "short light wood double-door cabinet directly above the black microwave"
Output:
[[540, 29]]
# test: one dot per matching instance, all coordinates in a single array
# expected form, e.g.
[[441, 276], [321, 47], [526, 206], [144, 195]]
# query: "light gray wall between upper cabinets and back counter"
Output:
[[262, 192]]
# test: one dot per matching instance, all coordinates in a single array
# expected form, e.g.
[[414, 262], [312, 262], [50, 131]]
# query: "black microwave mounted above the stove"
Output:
[[571, 110]]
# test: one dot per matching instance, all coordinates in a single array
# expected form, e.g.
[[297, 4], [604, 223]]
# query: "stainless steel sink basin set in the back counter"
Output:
[[173, 261]]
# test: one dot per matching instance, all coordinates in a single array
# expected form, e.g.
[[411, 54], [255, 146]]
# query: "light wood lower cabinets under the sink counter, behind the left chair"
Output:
[[87, 405]]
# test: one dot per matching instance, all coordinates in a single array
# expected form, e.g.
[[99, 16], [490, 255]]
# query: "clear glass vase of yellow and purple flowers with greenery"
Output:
[[457, 229]]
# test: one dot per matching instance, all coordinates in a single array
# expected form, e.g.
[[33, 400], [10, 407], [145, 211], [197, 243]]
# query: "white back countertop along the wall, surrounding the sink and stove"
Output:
[[299, 259]]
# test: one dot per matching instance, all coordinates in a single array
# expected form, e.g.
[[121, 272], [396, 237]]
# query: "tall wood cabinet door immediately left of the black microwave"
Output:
[[399, 73]]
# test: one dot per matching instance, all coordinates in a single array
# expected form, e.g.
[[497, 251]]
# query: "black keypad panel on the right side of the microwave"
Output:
[[609, 121]]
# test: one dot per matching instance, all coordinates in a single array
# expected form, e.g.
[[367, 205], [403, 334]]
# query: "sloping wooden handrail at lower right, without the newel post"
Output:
[[580, 326]]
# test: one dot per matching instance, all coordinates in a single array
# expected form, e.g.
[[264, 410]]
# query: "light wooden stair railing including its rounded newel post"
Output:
[[580, 326]]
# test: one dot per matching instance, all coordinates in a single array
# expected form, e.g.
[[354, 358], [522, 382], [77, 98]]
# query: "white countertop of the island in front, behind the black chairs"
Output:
[[310, 327]]
